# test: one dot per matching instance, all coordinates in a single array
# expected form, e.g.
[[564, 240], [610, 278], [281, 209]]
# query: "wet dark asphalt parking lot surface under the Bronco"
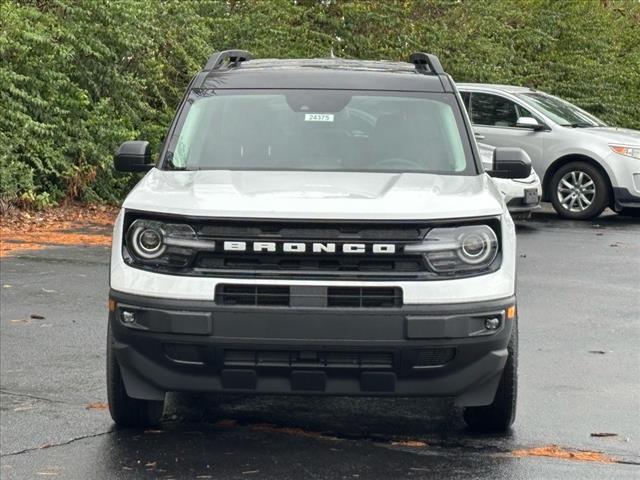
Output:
[[579, 306]]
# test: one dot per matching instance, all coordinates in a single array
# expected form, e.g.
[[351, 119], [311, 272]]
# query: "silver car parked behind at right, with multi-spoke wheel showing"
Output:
[[584, 164]]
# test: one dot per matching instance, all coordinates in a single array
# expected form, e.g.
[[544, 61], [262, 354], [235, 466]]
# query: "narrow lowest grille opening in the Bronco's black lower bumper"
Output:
[[304, 358]]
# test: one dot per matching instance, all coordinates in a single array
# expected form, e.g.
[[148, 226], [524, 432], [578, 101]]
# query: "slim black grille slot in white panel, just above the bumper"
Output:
[[306, 296]]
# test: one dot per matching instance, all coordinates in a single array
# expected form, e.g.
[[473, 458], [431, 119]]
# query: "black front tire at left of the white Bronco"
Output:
[[127, 411]]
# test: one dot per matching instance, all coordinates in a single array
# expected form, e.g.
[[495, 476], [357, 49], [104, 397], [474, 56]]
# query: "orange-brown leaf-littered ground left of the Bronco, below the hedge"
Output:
[[66, 225]]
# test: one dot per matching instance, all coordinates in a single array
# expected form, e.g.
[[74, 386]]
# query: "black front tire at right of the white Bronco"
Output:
[[499, 415]]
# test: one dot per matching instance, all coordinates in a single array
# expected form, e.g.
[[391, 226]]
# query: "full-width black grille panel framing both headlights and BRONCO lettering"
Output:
[[328, 266]]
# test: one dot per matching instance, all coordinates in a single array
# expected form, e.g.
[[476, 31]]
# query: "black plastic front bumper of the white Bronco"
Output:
[[417, 350]]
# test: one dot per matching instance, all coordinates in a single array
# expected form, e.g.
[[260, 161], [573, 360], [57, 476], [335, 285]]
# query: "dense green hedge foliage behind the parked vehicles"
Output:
[[78, 77]]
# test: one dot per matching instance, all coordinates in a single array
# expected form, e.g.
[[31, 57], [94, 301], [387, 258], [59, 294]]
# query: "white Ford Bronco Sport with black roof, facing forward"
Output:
[[315, 227]]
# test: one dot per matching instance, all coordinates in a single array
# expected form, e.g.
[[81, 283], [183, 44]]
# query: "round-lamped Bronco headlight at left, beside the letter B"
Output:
[[159, 243]]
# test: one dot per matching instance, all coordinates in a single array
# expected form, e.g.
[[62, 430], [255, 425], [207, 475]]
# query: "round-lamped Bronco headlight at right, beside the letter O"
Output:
[[457, 250]]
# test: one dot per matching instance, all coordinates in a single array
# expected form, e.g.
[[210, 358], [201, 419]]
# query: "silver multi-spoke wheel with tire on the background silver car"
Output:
[[579, 191]]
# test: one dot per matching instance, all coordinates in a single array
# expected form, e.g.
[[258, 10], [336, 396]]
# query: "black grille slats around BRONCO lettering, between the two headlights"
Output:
[[308, 265]]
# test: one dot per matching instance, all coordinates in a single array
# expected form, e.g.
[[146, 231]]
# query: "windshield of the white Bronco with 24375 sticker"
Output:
[[328, 130]]
